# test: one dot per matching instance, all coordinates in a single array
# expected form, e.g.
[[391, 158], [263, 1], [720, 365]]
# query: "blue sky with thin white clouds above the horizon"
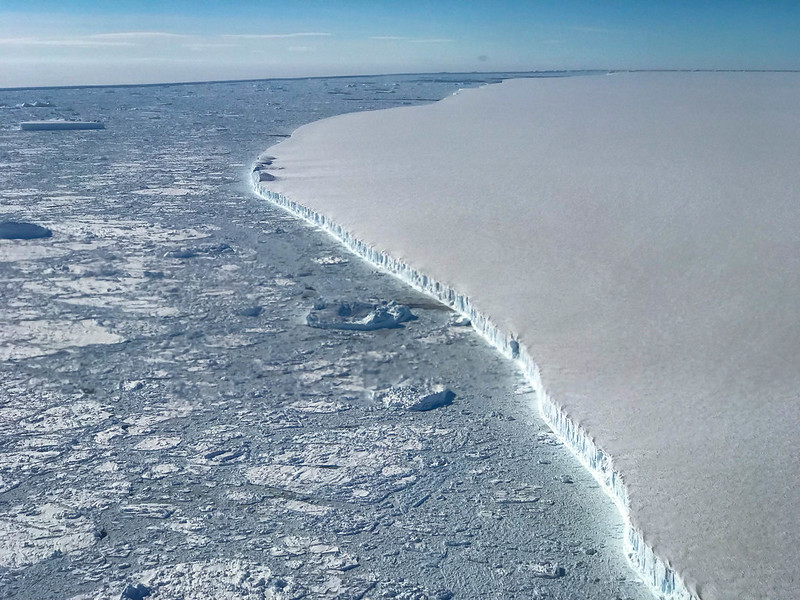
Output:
[[140, 41]]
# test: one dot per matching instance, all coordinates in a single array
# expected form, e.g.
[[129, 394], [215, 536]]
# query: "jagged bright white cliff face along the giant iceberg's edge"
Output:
[[654, 571]]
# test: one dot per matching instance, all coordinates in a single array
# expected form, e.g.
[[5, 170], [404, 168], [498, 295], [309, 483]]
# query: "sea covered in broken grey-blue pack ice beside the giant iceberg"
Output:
[[170, 424]]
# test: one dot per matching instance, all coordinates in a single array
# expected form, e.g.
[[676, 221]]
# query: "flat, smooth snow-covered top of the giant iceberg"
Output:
[[640, 233]]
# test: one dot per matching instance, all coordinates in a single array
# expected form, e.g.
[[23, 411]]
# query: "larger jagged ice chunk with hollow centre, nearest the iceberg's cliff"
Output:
[[358, 316]]
